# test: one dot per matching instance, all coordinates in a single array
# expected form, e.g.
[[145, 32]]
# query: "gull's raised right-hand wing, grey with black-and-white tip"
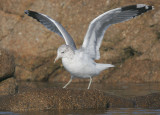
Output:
[[98, 26]]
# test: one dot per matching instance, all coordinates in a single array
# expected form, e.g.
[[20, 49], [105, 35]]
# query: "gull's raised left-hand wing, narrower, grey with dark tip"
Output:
[[53, 26]]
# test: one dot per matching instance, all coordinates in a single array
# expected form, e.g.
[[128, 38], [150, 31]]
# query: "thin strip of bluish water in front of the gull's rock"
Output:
[[113, 111]]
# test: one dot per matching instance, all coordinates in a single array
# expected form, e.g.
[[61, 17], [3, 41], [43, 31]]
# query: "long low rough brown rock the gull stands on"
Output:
[[32, 98]]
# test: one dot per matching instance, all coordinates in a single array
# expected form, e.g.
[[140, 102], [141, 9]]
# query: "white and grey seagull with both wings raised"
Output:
[[80, 63]]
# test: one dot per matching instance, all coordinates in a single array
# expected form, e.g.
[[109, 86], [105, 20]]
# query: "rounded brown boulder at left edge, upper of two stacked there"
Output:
[[7, 64]]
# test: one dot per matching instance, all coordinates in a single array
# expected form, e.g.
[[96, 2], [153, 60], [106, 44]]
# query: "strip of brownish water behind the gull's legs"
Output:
[[123, 90]]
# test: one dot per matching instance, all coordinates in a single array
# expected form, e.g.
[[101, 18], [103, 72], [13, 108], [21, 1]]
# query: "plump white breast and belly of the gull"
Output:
[[80, 66]]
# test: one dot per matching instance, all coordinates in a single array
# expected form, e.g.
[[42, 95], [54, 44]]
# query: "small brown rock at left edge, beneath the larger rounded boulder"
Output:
[[8, 87]]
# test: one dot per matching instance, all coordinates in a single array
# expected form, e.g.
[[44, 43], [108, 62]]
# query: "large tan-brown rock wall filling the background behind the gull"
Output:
[[35, 47]]
